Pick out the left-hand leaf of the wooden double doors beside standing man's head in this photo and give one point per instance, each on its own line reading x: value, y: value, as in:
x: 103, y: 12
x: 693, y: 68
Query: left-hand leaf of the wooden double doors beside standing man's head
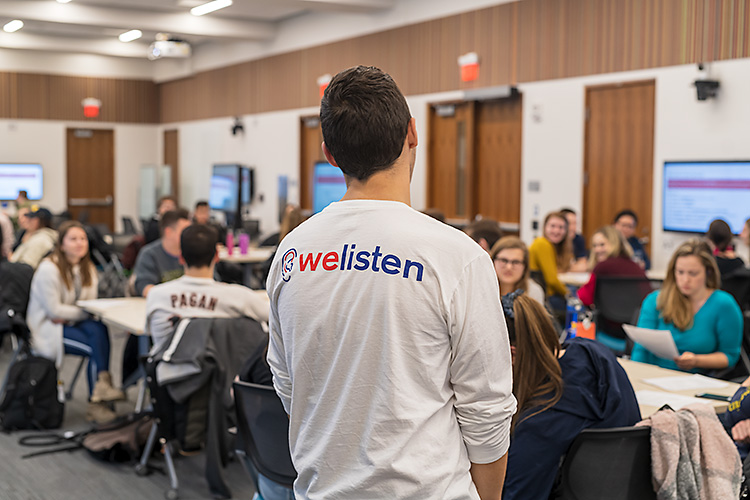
x: 450, y: 161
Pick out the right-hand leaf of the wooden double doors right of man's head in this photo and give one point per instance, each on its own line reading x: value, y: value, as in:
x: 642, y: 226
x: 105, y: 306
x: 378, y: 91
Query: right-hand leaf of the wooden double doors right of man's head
x: 498, y: 159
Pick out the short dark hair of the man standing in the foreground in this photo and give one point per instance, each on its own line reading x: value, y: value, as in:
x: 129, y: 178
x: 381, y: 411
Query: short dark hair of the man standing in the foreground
x: 364, y: 118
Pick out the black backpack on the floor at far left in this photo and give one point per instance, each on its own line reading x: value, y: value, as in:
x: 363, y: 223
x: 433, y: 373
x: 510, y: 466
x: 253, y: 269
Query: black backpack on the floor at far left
x: 32, y: 398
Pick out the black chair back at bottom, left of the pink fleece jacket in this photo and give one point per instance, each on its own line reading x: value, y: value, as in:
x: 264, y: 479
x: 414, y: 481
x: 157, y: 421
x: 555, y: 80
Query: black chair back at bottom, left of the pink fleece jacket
x: 608, y: 463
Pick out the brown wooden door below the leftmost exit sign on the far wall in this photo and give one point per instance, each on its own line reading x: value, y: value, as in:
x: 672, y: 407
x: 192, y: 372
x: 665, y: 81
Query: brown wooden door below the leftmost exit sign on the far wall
x: 90, y: 175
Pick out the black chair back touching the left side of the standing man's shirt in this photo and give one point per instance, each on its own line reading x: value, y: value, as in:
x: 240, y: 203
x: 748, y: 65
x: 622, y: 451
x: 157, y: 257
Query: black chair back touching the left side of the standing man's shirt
x: 264, y: 429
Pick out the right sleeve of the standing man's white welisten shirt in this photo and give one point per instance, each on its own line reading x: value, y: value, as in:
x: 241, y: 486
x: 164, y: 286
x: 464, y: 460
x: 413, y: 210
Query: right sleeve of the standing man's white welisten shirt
x: 481, y: 370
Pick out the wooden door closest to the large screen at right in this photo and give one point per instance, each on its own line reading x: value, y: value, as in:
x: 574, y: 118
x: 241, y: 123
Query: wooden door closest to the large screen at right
x: 619, y: 154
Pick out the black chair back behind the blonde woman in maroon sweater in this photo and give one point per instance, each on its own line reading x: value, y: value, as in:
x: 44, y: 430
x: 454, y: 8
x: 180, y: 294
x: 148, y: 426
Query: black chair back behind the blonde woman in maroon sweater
x: 617, y: 299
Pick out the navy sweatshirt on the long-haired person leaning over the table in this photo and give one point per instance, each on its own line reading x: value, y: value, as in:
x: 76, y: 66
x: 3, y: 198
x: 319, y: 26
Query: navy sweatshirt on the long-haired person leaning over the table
x: 596, y: 394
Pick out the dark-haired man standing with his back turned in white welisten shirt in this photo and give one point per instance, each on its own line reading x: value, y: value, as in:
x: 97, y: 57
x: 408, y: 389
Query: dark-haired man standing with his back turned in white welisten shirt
x: 388, y: 345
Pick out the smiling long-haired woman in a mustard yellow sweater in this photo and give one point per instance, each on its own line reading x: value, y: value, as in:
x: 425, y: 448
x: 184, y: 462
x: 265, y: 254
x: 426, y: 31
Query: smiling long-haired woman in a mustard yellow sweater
x: 550, y: 254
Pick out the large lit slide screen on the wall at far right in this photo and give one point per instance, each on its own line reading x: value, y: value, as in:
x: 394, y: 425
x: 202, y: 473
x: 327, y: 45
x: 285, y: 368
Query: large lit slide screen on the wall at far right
x: 695, y: 193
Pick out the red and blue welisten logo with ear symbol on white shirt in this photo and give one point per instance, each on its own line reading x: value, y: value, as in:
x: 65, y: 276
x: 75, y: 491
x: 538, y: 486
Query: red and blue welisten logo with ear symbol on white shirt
x: 349, y: 259
